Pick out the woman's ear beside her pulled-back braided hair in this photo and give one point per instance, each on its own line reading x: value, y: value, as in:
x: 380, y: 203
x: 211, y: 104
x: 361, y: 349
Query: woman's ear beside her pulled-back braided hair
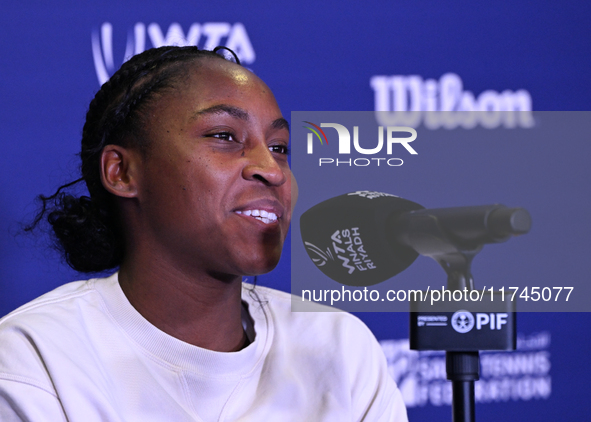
x: 119, y: 171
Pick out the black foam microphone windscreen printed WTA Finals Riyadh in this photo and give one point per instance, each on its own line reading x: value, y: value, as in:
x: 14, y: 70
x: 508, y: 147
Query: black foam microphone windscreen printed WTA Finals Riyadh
x: 347, y: 237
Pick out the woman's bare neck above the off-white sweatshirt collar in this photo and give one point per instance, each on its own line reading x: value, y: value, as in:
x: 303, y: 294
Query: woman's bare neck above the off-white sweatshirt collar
x: 201, y: 309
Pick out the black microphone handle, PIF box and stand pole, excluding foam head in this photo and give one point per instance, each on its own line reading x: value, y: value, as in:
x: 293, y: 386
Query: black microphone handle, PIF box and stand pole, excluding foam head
x: 453, y: 237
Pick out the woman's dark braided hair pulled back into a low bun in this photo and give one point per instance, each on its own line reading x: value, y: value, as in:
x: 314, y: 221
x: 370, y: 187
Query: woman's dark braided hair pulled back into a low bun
x: 87, y: 229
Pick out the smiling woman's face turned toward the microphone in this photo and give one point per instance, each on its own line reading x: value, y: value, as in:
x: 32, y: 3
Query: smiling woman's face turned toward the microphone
x: 215, y: 187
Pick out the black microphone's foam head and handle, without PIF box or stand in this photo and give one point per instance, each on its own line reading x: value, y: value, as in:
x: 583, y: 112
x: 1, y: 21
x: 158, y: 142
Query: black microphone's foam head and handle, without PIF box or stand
x: 363, y: 238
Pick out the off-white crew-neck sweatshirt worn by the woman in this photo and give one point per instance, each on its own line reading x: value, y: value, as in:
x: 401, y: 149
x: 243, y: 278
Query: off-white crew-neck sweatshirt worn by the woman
x: 83, y: 353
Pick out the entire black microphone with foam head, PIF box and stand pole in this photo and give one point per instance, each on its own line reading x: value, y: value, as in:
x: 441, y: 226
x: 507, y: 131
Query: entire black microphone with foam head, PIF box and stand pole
x: 363, y: 238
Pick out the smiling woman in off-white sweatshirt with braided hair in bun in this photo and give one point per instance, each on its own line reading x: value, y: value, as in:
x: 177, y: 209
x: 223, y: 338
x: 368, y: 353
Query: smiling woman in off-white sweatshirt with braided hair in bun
x: 185, y: 157
